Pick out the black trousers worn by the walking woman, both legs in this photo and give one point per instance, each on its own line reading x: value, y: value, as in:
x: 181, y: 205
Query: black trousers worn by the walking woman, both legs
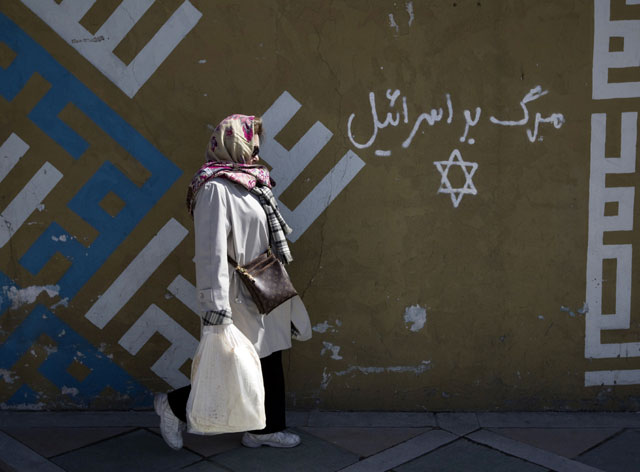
x: 274, y: 401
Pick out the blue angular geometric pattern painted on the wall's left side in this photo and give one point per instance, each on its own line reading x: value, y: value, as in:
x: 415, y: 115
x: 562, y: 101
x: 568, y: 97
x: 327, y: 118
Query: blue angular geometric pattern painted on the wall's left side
x: 83, y: 259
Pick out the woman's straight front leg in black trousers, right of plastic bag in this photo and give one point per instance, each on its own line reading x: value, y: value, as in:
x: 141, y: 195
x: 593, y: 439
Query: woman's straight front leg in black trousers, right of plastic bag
x: 274, y: 399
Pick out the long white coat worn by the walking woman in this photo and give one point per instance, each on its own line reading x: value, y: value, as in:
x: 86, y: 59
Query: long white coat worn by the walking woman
x: 230, y: 220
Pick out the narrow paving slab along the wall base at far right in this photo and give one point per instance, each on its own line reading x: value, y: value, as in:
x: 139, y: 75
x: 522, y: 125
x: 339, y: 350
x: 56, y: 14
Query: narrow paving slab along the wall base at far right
x: 559, y: 420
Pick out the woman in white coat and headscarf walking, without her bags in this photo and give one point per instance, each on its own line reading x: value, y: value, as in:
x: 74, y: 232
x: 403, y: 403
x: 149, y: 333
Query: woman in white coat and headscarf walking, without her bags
x: 235, y: 215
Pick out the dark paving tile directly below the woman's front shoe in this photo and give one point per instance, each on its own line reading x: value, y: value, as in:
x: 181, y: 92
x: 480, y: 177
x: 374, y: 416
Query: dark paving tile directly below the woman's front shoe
x: 313, y: 455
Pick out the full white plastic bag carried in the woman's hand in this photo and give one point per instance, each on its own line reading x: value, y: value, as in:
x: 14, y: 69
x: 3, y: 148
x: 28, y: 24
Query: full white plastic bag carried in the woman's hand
x: 227, y: 393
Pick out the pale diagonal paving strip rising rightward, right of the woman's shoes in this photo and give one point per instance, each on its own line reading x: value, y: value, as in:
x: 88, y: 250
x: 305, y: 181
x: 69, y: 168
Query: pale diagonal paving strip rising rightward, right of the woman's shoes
x: 404, y: 452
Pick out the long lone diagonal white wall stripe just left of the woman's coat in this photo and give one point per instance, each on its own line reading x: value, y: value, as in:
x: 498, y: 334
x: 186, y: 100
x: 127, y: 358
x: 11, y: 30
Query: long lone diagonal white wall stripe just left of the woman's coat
x: 136, y: 273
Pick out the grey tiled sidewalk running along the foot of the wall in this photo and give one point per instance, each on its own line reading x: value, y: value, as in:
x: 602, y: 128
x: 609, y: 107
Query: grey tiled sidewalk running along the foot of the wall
x: 332, y: 441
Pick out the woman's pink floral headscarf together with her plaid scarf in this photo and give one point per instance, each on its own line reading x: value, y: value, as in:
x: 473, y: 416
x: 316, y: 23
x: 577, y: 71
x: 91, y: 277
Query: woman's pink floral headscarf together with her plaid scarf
x: 230, y: 146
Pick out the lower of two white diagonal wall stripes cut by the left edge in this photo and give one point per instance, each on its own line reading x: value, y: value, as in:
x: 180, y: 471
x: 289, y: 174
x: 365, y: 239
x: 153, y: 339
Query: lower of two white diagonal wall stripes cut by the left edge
x: 27, y: 201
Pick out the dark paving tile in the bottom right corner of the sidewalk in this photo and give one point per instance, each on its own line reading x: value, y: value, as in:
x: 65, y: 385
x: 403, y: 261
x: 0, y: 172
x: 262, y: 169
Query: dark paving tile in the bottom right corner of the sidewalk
x: 618, y: 454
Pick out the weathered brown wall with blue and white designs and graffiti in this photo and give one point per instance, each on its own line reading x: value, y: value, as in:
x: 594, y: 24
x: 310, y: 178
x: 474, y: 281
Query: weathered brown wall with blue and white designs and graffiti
x: 460, y: 176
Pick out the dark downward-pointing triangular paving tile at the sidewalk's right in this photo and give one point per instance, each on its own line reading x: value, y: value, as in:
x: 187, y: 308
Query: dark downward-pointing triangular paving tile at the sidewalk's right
x: 567, y: 442
